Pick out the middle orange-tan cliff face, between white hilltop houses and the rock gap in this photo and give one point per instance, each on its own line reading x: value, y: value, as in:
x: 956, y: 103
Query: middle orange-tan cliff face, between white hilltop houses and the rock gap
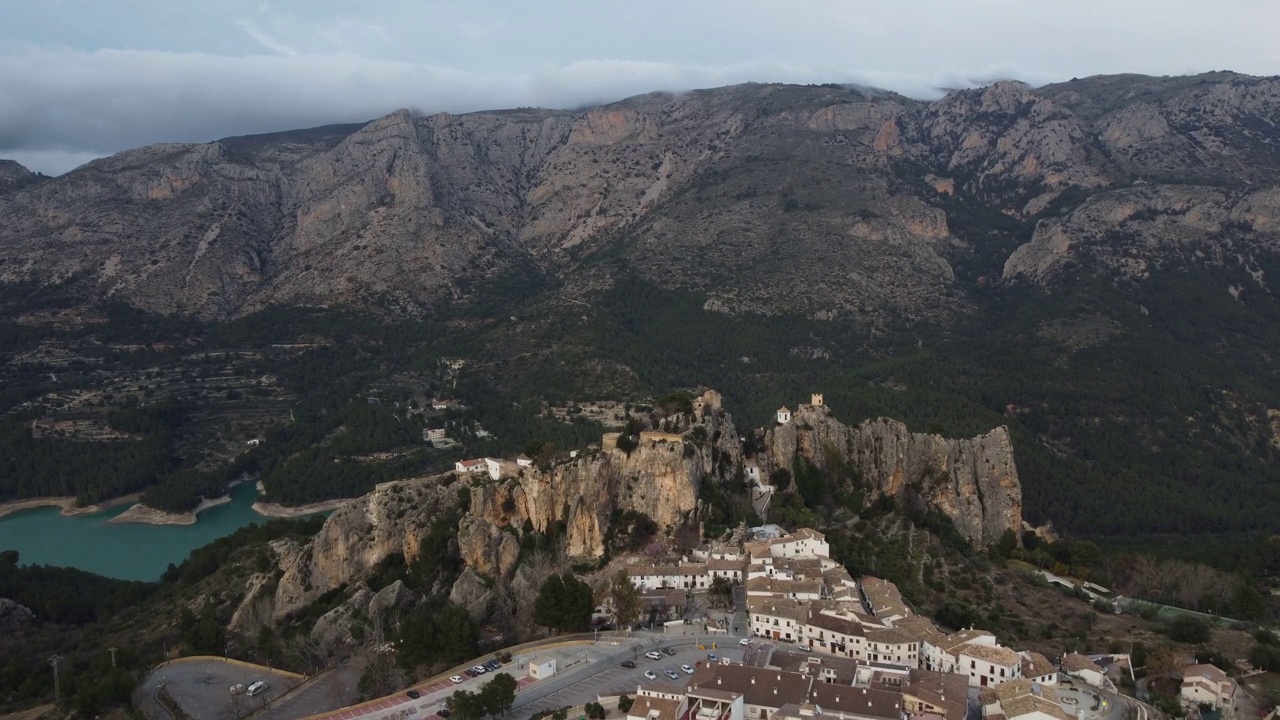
x: 660, y: 480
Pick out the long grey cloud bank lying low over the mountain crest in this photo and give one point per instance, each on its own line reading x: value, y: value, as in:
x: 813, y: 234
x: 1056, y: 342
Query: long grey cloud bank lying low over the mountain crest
x: 62, y: 106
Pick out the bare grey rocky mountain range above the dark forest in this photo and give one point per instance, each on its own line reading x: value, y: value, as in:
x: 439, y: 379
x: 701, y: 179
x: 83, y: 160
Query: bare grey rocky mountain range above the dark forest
x: 819, y: 194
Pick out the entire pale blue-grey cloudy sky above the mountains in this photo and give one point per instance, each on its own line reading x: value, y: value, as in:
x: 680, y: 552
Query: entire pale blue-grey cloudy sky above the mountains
x: 85, y: 79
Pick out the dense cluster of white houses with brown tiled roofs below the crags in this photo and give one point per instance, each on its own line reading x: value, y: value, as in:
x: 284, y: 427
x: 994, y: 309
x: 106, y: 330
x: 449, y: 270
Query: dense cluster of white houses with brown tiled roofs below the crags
x: 845, y: 649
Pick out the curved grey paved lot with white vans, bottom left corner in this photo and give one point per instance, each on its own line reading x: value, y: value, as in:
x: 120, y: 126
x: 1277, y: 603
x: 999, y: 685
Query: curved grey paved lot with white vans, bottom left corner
x: 203, y: 689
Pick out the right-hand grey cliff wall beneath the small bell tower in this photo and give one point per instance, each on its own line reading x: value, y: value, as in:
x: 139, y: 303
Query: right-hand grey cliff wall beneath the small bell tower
x: 975, y: 482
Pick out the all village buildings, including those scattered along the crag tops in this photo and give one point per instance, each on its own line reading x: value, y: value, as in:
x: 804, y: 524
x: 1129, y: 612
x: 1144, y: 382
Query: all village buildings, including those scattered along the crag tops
x: 822, y: 645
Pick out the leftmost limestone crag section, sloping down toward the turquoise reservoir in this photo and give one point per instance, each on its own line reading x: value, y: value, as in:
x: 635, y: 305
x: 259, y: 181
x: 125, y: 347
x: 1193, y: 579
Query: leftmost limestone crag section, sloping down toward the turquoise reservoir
x: 392, y: 520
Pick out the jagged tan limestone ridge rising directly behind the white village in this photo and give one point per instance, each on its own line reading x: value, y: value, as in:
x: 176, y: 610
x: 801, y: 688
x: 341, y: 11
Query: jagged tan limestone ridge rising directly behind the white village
x: 973, y: 482
